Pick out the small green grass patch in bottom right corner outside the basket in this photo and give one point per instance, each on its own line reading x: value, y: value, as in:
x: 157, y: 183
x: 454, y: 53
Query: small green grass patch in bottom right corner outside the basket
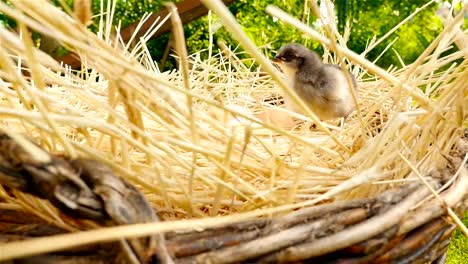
x: 458, y: 249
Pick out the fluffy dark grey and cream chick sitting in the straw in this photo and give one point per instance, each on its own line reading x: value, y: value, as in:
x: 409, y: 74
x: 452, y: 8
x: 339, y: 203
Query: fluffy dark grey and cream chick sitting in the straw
x: 323, y: 87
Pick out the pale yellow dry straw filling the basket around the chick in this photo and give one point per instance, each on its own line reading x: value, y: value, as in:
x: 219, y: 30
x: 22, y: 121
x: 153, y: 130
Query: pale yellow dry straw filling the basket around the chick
x: 190, y: 139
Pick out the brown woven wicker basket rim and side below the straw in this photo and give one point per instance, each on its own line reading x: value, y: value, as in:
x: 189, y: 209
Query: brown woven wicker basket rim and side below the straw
x: 397, y: 226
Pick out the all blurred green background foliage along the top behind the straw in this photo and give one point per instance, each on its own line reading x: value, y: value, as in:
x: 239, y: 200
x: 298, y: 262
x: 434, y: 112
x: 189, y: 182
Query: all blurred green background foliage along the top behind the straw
x: 368, y: 18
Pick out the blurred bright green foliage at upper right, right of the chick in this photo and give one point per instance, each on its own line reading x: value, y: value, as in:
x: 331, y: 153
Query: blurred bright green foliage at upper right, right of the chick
x: 377, y: 17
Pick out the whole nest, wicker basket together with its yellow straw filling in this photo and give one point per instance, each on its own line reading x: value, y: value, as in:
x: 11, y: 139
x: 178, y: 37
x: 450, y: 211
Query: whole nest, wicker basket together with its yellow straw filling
x: 375, y: 189
